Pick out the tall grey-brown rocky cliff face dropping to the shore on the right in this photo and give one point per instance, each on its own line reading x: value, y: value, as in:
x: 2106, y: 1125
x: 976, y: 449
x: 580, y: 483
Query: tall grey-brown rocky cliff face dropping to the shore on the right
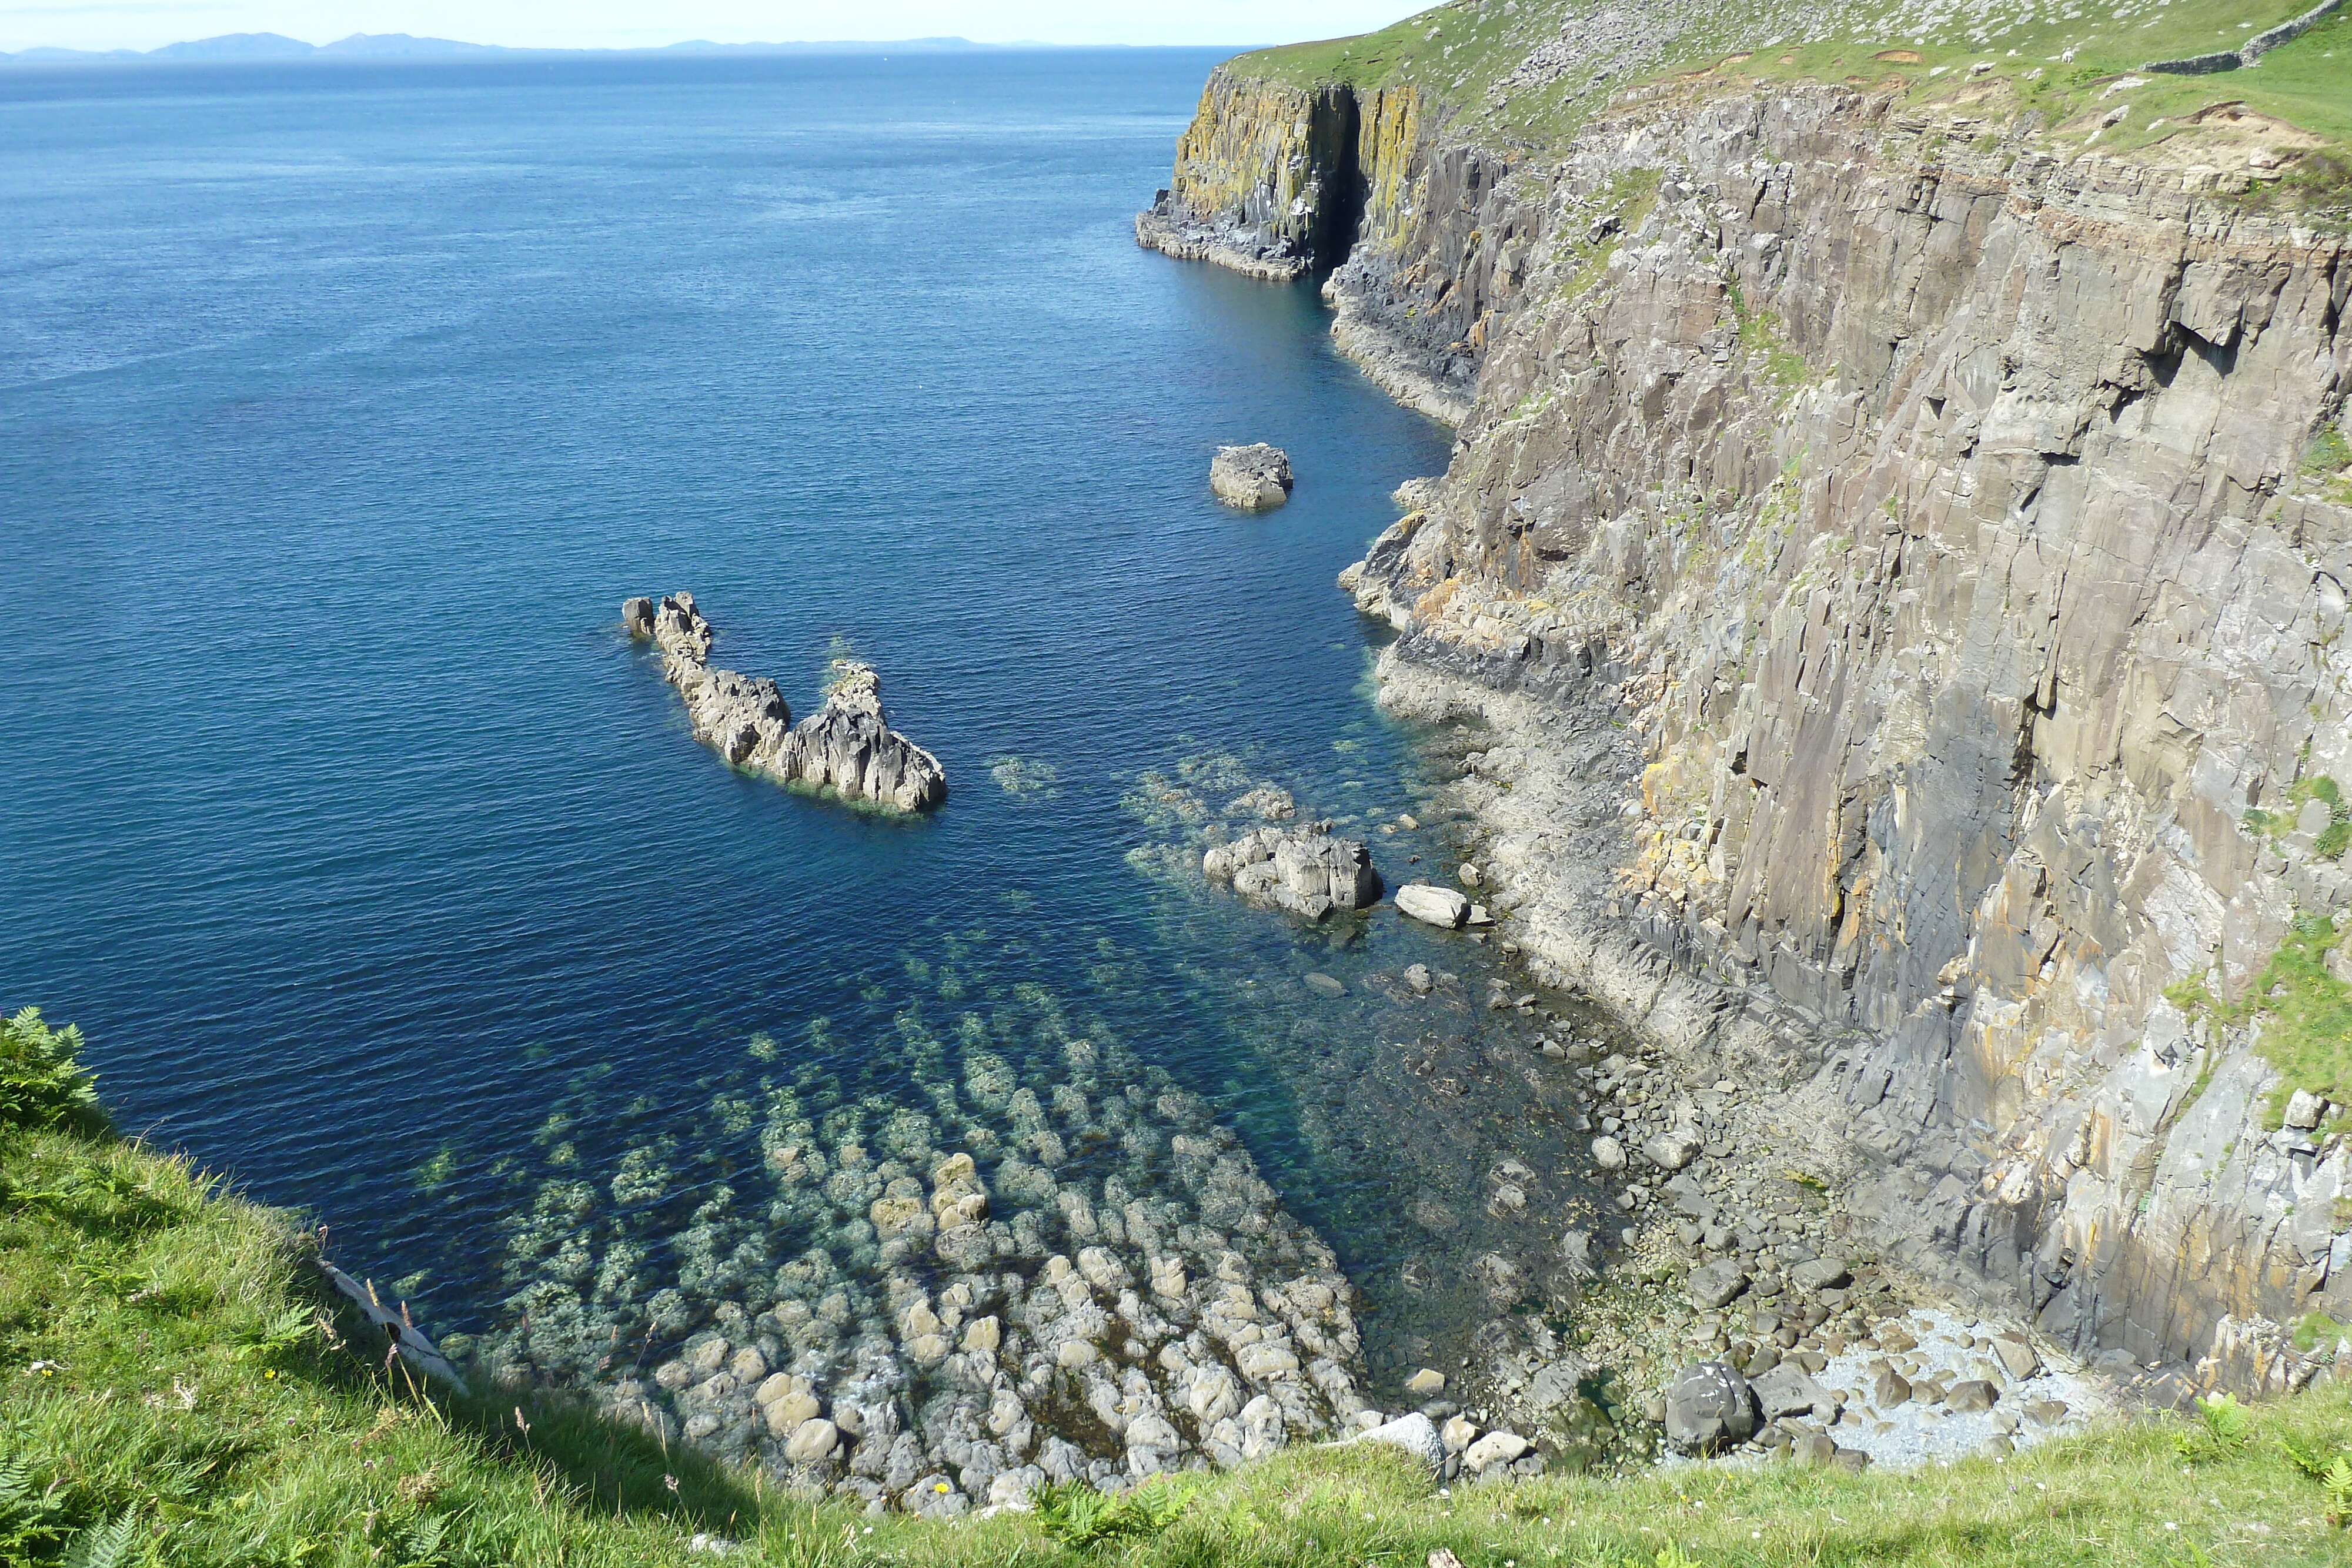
x: 1956, y: 532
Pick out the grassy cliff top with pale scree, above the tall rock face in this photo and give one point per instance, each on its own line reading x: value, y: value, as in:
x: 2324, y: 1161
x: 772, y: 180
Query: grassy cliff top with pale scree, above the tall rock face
x: 1532, y: 72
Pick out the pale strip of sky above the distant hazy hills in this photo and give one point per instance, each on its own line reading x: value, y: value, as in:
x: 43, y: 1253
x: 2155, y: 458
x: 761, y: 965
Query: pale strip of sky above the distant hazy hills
x: 622, y: 25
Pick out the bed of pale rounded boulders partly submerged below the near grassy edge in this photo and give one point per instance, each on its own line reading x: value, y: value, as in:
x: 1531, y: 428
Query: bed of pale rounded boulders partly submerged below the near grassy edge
x: 1057, y: 1268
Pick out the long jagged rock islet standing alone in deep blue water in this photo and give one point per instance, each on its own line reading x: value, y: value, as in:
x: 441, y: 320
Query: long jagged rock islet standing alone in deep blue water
x: 846, y: 749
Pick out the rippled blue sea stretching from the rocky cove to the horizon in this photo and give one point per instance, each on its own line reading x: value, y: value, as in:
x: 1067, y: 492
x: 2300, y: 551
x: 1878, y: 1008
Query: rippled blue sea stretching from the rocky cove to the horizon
x: 342, y: 408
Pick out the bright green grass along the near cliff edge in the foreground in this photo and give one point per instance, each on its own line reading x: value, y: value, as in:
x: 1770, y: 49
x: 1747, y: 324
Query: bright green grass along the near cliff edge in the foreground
x: 178, y: 1388
